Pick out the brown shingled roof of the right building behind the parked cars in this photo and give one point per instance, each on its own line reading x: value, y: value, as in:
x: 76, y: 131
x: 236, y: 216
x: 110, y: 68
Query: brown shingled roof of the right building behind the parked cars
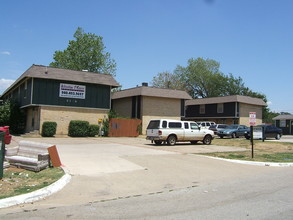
x: 226, y: 99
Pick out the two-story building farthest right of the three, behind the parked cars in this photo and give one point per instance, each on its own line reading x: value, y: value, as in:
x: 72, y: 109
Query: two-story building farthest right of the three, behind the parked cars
x: 233, y: 109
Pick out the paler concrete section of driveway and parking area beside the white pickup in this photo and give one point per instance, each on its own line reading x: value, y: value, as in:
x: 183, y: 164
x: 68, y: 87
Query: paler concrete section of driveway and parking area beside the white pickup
x: 98, y: 156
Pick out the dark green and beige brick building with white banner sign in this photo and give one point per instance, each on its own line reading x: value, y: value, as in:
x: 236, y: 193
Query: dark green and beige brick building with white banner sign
x: 61, y: 95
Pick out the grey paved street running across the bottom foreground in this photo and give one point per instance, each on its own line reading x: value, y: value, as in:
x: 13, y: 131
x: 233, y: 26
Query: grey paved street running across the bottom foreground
x: 264, y: 196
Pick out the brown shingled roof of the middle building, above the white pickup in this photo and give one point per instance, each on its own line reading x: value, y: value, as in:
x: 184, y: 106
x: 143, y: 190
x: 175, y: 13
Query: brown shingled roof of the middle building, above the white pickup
x: 151, y: 91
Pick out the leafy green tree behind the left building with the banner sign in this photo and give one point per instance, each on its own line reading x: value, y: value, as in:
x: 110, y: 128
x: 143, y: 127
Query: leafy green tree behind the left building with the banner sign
x: 86, y: 52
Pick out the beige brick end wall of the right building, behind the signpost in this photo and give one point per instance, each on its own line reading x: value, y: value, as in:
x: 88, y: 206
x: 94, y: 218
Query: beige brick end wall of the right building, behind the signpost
x: 244, y: 110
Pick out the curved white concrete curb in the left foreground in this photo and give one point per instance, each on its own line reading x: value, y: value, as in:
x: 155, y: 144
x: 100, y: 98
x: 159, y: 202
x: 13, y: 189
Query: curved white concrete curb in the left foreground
x: 38, y: 194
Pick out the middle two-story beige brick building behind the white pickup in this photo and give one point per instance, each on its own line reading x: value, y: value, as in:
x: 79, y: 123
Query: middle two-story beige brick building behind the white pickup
x: 146, y: 103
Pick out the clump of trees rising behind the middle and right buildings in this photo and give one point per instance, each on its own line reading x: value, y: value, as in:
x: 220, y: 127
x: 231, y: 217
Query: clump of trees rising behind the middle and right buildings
x: 202, y: 78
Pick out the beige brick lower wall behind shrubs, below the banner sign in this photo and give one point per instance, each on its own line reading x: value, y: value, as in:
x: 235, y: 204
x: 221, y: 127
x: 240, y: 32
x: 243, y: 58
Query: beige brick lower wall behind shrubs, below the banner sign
x: 63, y: 116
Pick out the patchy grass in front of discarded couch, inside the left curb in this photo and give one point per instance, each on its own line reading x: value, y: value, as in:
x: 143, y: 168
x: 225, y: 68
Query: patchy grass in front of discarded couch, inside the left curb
x: 19, y: 181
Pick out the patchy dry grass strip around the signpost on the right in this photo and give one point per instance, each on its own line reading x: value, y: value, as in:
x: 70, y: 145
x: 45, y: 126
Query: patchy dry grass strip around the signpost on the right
x: 263, y: 151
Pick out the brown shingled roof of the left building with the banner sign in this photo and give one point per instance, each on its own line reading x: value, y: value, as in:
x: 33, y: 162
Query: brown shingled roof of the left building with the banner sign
x: 44, y: 72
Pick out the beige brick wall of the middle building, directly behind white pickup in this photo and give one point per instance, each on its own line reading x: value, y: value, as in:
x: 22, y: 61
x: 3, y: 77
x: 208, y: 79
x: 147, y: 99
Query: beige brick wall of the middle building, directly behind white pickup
x: 156, y: 108
